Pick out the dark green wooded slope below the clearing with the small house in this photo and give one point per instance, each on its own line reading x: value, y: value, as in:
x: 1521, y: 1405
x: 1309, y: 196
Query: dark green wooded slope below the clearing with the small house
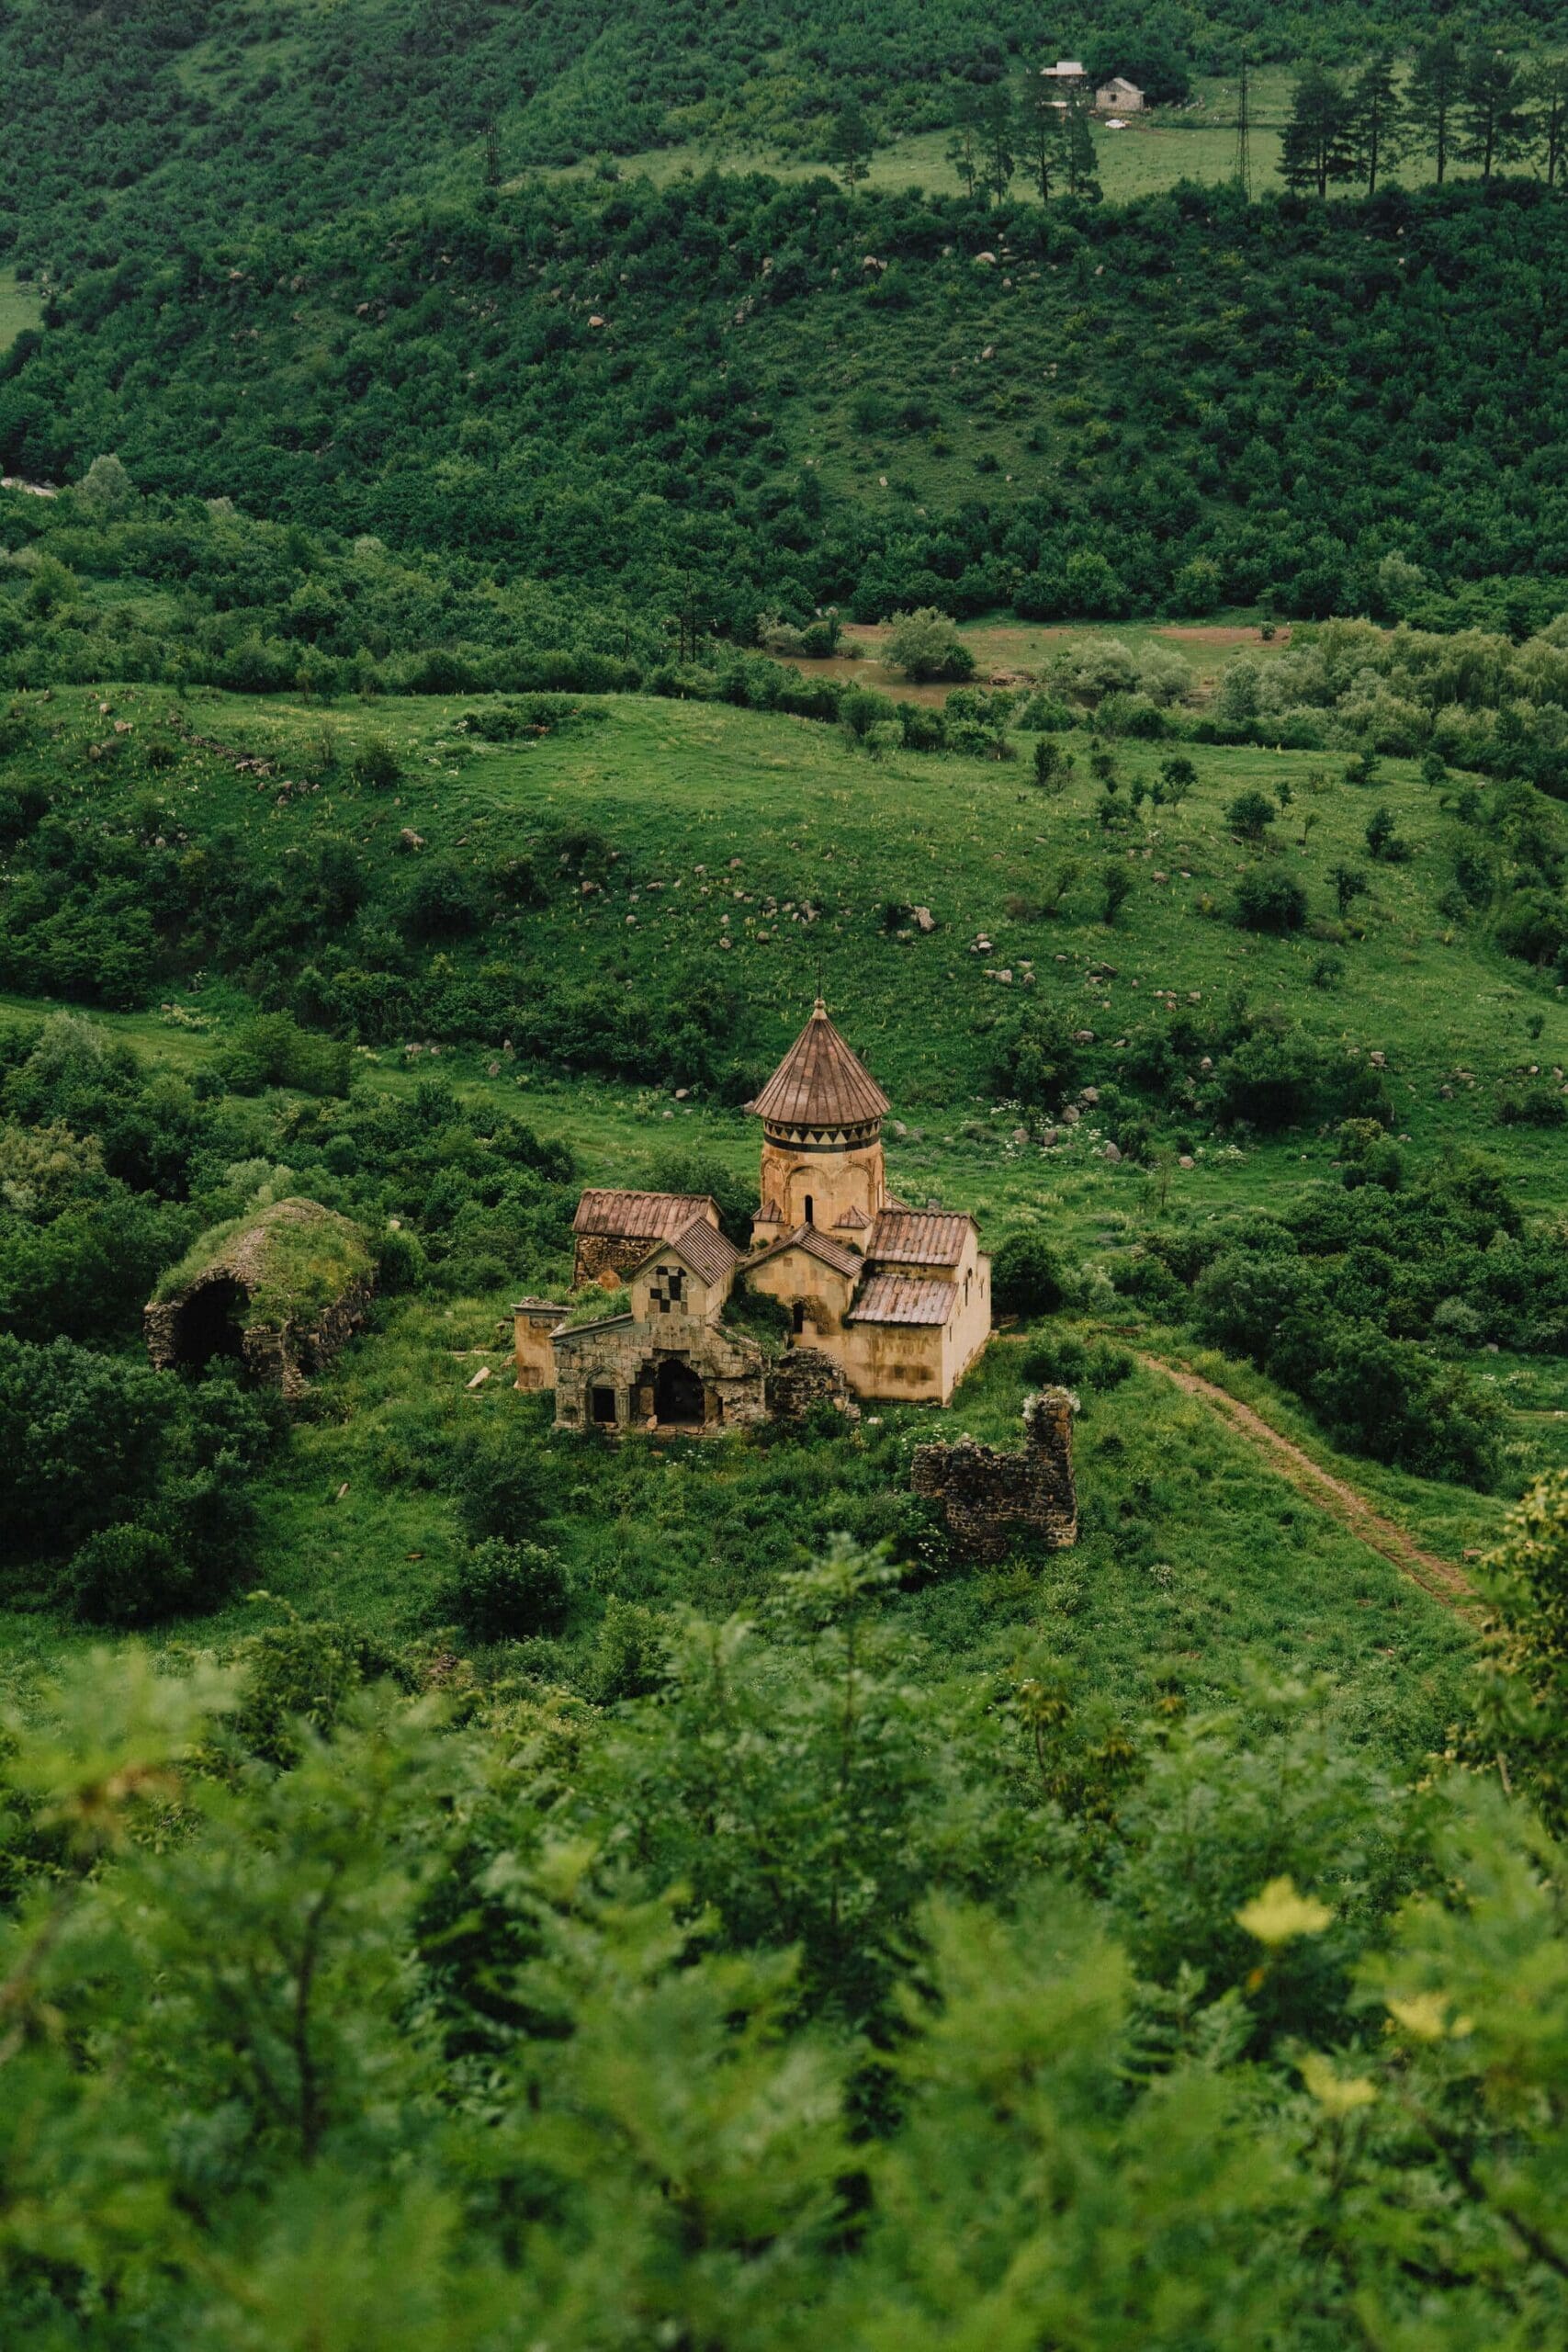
x: 709, y: 396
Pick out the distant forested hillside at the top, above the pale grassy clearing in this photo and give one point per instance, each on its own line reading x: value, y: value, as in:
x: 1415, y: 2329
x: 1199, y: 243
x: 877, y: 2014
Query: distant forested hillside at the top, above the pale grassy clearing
x: 128, y: 123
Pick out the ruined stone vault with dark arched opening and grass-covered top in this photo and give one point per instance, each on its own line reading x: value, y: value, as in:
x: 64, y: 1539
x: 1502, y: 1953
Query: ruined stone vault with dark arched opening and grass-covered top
x: 276, y: 1292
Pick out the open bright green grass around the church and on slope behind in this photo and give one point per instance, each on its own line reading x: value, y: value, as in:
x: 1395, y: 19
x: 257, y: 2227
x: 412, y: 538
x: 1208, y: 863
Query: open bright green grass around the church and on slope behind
x: 770, y: 850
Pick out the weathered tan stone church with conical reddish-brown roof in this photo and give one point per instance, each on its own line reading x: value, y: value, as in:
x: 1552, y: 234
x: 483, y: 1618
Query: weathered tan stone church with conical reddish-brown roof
x: 883, y: 1302
